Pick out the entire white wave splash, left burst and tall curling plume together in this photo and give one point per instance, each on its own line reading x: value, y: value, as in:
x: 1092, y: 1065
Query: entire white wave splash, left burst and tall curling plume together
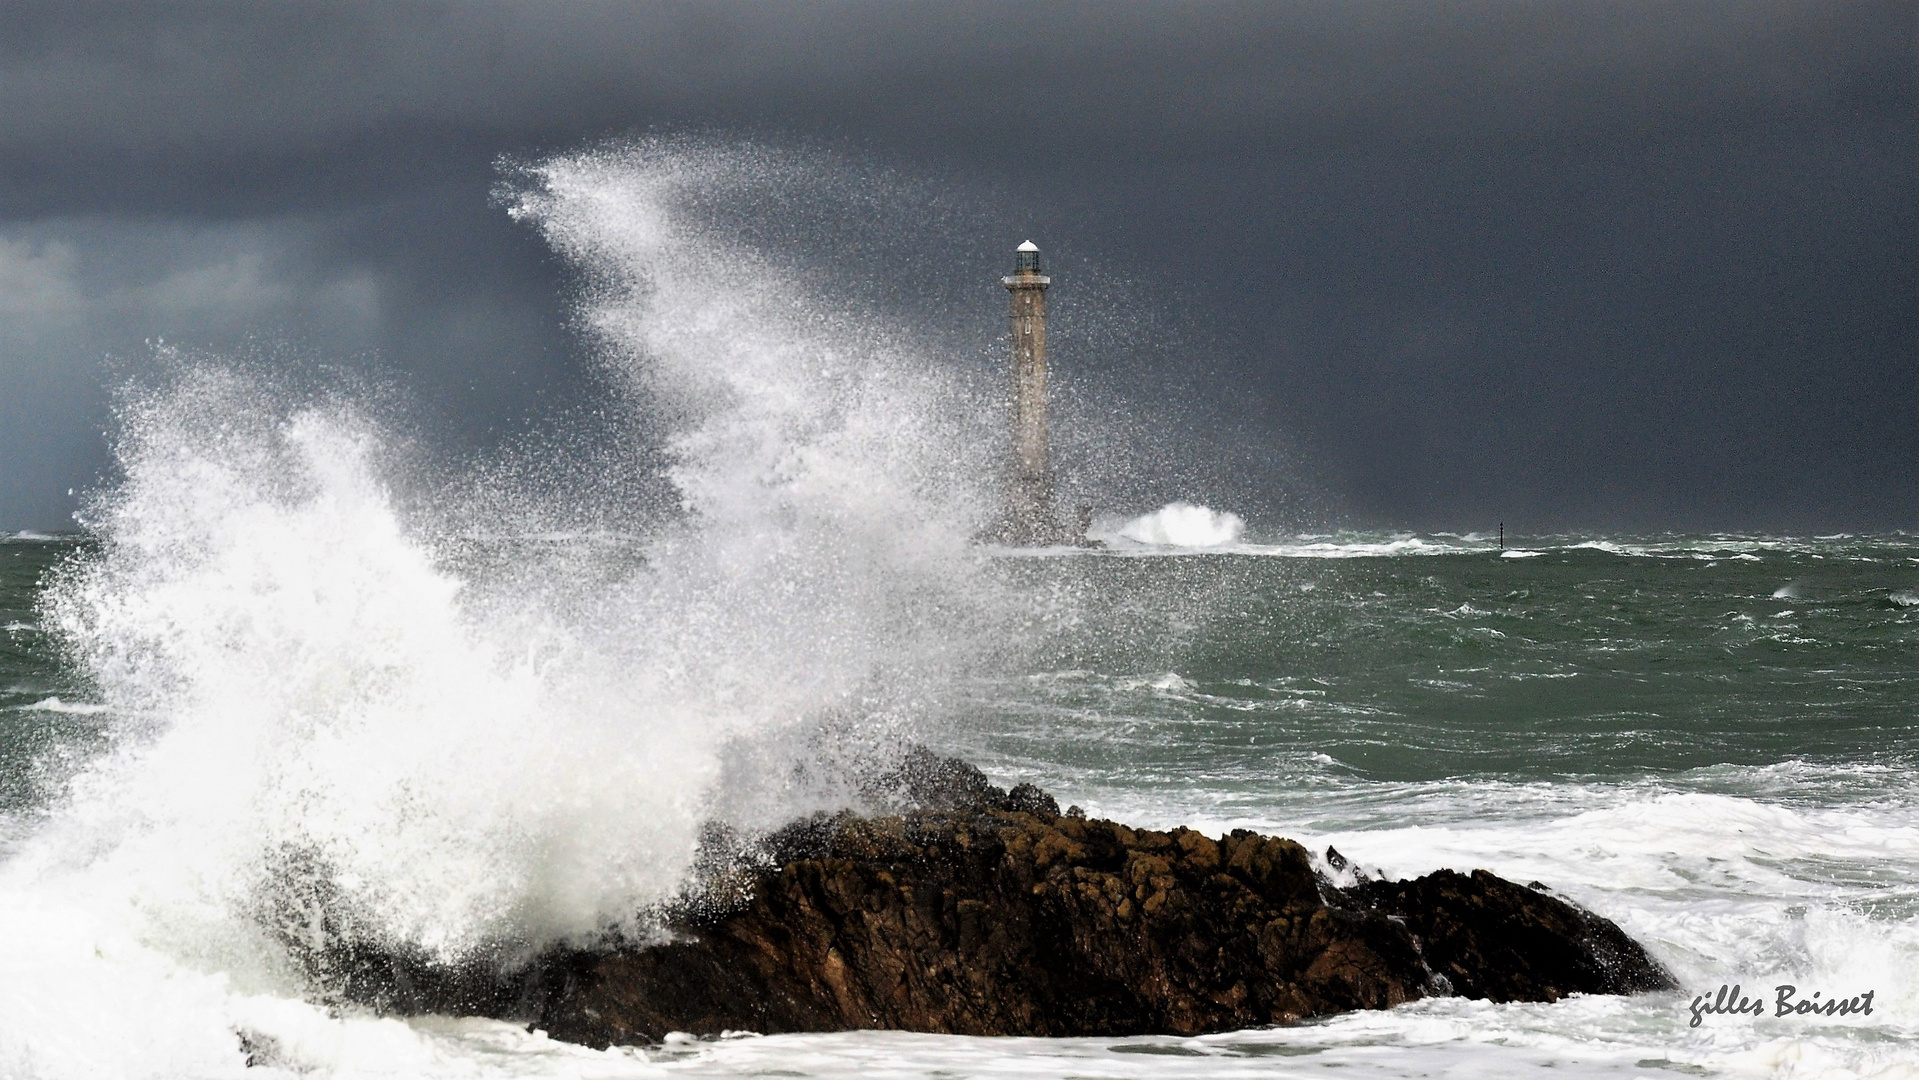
x: 333, y: 726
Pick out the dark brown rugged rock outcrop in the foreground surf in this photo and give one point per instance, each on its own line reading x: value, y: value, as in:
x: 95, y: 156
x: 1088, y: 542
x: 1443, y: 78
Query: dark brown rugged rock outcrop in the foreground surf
x: 989, y: 912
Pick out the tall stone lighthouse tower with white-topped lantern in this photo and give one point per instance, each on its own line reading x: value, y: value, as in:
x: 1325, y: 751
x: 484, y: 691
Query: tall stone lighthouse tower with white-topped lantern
x: 1030, y: 492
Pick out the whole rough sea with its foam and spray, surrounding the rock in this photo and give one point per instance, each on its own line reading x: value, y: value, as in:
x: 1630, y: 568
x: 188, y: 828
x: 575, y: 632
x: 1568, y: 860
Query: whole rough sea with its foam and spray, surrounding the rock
x: 291, y: 686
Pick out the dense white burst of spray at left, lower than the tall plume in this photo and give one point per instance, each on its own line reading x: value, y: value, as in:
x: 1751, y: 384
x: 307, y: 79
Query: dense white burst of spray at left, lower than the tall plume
x: 295, y: 674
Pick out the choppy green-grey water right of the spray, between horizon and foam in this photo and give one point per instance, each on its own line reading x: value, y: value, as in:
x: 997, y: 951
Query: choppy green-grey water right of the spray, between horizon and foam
x: 1584, y: 659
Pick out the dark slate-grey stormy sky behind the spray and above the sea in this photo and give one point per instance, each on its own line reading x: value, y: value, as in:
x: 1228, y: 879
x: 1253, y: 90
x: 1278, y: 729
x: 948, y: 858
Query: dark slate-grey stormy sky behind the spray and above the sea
x: 1590, y: 264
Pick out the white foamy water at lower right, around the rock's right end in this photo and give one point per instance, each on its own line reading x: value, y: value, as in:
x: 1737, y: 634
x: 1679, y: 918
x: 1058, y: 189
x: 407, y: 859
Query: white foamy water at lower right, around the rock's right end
x: 1720, y: 887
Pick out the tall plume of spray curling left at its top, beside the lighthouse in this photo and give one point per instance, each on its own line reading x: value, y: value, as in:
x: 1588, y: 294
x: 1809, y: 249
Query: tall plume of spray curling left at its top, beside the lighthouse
x: 830, y: 477
